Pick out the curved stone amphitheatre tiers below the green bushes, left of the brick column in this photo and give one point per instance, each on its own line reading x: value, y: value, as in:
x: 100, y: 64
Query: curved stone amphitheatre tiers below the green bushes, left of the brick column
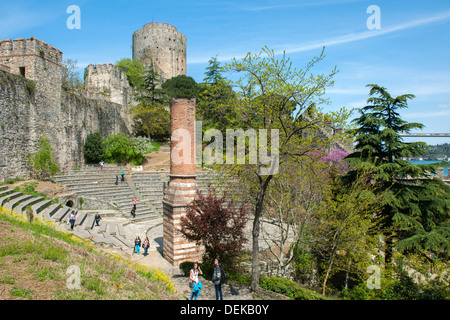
x: 90, y: 182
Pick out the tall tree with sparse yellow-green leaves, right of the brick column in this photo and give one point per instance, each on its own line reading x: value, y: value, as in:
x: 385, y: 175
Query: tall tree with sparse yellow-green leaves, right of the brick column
x: 274, y: 95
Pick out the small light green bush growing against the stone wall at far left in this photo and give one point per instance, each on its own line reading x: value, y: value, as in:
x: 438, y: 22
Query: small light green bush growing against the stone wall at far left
x: 43, y: 163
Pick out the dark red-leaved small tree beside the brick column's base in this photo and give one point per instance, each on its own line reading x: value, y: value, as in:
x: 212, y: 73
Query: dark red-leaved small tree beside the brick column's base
x: 216, y: 223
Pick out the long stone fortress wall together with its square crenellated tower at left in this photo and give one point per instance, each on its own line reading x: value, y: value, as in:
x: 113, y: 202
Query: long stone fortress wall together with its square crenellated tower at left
x: 33, y: 104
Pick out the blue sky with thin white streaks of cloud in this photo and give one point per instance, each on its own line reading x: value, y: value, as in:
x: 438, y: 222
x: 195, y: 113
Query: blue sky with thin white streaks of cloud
x: 410, y: 53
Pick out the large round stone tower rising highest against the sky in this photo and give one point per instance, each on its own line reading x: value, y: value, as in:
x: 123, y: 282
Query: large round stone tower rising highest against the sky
x: 163, y: 46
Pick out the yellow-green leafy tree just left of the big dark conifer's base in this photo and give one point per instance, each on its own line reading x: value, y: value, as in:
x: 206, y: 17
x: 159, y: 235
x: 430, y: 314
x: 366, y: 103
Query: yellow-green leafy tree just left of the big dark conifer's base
x: 347, y: 215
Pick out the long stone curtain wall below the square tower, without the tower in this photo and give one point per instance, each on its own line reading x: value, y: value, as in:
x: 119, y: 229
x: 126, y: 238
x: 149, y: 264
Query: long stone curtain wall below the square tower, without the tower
x: 26, y: 114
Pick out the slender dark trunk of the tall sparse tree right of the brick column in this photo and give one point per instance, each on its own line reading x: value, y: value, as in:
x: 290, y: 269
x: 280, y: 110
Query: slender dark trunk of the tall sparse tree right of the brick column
x: 255, y: 232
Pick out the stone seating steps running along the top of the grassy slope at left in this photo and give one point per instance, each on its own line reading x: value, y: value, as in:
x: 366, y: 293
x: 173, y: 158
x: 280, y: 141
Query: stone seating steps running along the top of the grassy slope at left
x: 112, y: 232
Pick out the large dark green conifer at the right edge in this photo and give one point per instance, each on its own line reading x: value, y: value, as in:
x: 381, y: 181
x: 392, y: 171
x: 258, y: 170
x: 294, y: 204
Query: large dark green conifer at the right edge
x: 416, y: 207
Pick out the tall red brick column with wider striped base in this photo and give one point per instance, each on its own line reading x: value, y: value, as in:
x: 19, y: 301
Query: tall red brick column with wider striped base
x: 182, y: 186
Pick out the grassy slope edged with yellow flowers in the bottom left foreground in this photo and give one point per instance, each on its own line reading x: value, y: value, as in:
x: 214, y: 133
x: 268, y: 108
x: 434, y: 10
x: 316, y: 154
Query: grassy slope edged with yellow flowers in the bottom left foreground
x: 39, y: 263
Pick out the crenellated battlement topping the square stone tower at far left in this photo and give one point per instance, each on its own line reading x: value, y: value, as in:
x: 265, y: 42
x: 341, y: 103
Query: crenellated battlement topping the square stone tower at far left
x: 30, y: 47
